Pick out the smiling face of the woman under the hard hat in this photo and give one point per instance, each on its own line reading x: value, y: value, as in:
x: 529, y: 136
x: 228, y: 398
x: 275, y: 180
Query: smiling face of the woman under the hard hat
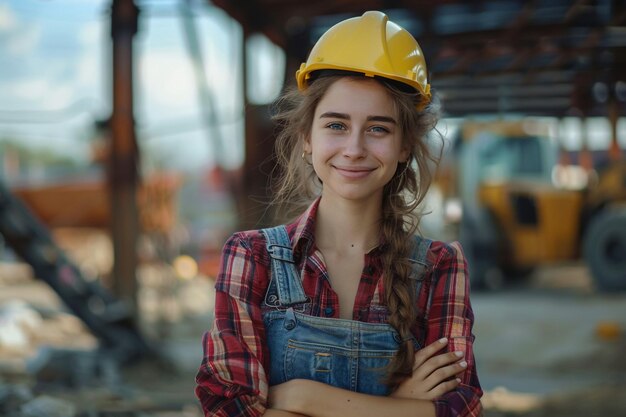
x: 355, y: 141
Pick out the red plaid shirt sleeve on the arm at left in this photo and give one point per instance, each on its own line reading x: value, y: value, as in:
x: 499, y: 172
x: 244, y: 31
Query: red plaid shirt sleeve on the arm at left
x: 232, y: 380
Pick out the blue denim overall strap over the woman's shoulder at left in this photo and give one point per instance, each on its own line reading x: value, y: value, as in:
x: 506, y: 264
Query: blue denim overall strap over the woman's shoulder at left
x: 284, y: 275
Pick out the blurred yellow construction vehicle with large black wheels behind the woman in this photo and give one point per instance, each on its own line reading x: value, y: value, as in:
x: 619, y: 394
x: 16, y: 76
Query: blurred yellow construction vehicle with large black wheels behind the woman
x: 521, y: 208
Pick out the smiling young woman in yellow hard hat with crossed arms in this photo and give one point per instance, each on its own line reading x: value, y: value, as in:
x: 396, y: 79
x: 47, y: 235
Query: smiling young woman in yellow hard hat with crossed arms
x: 346, y: 311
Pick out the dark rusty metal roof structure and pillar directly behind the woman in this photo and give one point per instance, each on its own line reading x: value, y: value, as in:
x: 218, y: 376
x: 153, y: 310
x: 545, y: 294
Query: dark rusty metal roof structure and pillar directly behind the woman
x: 509, y: 57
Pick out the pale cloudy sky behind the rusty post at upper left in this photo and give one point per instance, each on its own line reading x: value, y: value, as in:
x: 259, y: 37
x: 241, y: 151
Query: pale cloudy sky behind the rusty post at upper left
x: 55, y: 79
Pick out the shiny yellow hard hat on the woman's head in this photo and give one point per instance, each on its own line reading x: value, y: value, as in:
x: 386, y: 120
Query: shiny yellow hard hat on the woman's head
x: 371, y: 45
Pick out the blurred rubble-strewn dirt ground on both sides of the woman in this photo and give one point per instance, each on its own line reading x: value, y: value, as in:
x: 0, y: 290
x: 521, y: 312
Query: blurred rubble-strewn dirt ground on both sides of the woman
x: 547, y: 347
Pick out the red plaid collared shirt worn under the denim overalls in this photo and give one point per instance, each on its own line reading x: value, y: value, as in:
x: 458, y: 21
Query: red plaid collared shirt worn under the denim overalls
x: 233, y: 380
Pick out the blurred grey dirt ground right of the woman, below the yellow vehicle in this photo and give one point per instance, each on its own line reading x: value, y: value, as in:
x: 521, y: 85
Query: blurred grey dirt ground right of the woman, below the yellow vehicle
x: 552, y: 346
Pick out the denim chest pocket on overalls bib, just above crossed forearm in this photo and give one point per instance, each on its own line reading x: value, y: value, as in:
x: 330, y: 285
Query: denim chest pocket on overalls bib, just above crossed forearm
x: 361, y: 370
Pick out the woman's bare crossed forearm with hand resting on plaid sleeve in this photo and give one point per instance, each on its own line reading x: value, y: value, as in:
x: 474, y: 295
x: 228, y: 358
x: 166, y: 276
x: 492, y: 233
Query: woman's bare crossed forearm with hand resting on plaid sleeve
x: 433, y: 375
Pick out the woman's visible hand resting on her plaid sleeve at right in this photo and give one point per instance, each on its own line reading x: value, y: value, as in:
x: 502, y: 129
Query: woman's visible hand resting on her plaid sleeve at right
x: 432, y: 374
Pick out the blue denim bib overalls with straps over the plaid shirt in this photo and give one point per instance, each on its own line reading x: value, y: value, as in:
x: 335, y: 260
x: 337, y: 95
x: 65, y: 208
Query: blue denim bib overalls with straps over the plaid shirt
x: 344, y: 353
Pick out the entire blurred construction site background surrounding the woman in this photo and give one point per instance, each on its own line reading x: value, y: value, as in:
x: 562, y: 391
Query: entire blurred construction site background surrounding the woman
x: 110, y: 240
